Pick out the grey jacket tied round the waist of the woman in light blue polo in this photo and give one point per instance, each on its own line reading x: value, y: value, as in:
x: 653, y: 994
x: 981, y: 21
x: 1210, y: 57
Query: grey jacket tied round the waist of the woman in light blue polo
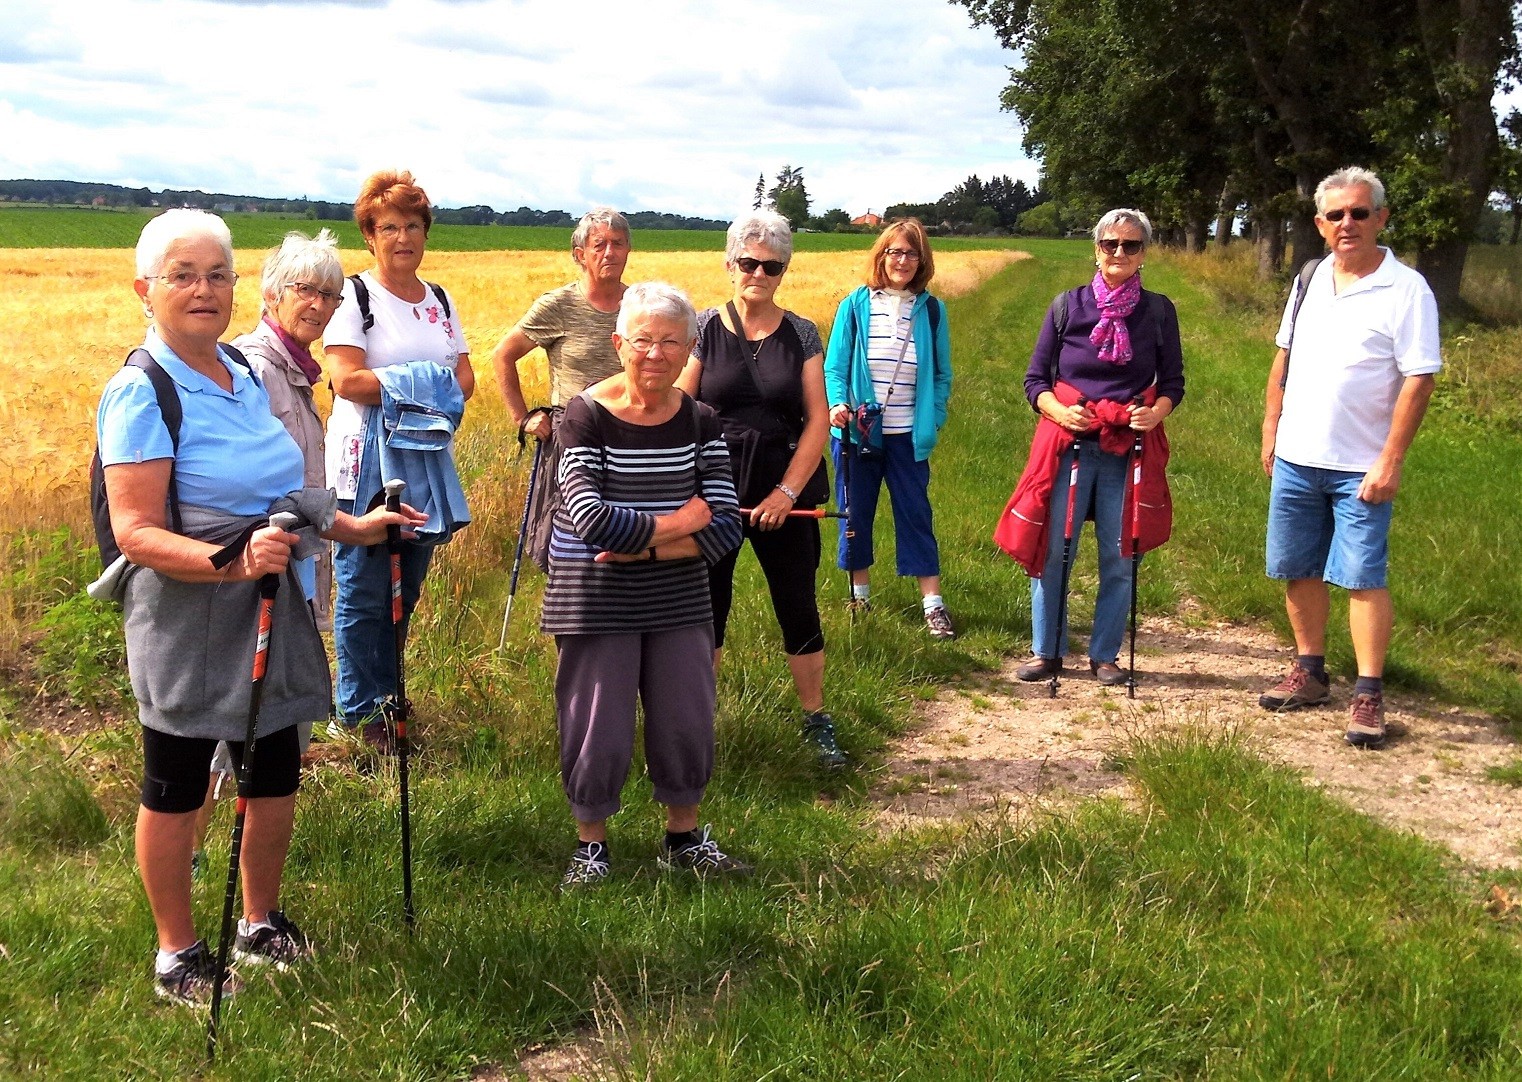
x: 191, y: 646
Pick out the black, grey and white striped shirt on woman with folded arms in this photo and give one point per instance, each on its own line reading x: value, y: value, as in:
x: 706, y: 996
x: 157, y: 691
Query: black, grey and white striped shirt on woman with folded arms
x: 616, y: 479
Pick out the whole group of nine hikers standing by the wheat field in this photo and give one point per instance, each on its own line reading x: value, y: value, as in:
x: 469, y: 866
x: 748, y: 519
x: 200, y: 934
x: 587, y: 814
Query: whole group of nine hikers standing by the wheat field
x: 672, y: 439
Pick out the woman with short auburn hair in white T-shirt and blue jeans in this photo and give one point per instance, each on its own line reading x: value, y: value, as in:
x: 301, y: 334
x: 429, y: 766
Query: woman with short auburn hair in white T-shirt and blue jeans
x: 389, y: 317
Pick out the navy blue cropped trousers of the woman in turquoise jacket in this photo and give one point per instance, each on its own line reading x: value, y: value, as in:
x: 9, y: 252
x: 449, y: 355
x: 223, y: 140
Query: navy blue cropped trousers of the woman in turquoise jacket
x: 908, y: 491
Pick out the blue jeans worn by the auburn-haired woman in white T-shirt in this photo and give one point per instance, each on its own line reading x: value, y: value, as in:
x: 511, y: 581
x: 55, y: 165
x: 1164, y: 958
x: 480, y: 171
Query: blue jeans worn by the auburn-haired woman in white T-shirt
x: 363, y: 634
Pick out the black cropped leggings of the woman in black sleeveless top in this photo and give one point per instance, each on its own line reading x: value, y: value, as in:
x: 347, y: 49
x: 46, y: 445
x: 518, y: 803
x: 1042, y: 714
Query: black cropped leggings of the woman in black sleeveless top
x: 789, y: 559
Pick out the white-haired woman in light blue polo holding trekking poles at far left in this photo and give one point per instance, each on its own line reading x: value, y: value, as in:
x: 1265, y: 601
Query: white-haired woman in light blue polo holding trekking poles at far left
x: 189, y: 506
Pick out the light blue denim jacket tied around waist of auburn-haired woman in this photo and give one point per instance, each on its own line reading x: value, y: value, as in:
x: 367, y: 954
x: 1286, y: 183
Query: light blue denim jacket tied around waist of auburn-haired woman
x: 410, y: 438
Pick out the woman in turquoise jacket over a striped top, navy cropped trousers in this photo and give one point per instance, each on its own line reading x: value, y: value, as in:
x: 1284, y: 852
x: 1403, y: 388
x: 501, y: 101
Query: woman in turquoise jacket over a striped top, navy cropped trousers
x: 888, y: 375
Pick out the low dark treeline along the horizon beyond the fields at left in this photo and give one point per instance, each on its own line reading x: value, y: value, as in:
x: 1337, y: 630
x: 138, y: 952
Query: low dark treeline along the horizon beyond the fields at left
x: 89, y: 194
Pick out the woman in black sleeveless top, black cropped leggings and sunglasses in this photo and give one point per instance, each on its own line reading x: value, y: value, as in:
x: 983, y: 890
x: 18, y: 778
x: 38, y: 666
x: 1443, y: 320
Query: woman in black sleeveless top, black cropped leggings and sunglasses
x: 763, y: 371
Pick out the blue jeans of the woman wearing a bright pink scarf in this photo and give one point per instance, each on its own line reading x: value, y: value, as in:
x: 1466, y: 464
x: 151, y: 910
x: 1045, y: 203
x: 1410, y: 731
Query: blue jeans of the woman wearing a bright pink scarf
x: 1101, y: 495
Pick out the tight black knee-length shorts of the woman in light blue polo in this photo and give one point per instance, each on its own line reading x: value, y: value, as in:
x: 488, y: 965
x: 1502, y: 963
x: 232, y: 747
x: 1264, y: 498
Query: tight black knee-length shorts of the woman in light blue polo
x: 179, y: 769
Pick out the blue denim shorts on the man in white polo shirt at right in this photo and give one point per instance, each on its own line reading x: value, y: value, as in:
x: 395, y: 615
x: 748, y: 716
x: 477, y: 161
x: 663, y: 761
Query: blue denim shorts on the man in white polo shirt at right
x: 1320, y: 529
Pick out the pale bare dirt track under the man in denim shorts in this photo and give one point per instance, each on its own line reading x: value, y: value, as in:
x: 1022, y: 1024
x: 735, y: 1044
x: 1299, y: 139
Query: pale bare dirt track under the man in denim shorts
x: 995, y: 743
